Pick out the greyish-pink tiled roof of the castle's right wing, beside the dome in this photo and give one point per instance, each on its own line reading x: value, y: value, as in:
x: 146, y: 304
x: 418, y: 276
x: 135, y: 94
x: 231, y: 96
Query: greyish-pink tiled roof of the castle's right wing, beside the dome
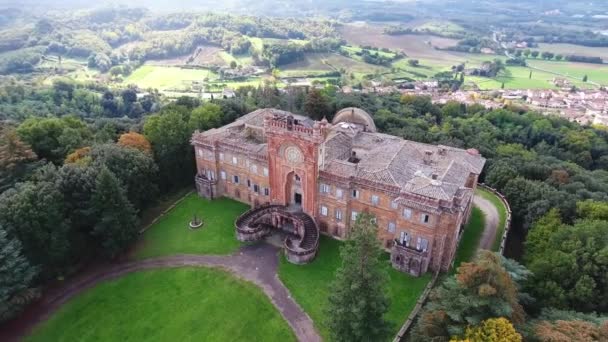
x: 438, y: 172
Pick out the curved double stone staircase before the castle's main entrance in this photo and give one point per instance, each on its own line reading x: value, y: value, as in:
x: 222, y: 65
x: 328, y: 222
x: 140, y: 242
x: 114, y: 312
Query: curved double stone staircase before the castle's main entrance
x: 256, y: 223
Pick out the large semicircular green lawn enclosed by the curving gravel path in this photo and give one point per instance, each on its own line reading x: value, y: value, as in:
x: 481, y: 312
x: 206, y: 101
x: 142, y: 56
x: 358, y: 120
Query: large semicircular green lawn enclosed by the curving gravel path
x: 186, y: 304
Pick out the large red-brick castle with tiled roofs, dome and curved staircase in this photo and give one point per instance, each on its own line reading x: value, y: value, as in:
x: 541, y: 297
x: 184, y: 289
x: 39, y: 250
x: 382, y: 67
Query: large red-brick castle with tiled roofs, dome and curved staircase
x: 307, y: 178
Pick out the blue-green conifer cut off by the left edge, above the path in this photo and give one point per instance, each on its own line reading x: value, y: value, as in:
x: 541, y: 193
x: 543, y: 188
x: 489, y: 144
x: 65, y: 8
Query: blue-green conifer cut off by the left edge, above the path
x: 16, y: 275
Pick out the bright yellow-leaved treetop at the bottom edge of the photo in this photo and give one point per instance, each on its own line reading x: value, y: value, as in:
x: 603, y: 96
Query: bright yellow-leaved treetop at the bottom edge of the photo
x: 491, y: 330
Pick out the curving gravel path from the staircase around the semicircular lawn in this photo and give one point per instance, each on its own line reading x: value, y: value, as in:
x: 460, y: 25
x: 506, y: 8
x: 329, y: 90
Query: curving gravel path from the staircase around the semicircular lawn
x: 256, y: 263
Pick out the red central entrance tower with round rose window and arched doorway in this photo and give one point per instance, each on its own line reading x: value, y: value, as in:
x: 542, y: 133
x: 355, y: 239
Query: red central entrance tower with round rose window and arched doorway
x: 293, y: 156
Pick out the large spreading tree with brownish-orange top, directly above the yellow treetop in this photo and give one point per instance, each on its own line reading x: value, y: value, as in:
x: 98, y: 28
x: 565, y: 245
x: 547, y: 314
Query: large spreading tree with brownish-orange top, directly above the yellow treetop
x: 480, y: 290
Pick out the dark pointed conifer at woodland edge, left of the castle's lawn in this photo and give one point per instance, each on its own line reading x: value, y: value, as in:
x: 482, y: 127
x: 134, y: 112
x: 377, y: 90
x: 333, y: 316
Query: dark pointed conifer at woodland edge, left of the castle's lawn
x: 116, y: 227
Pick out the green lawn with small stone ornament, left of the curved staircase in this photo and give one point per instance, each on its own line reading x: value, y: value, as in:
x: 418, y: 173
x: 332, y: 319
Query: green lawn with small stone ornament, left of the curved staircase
x: 171, y: 234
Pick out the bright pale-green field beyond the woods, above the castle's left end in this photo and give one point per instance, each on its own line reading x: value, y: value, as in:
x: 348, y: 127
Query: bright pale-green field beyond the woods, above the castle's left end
x: 167, y: 77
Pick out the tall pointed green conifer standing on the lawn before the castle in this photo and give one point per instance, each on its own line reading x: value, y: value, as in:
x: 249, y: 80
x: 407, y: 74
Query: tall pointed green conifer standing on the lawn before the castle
x: 358, y: 300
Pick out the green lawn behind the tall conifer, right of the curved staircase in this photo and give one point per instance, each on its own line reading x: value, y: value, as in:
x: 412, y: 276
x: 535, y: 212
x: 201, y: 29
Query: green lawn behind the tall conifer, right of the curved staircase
x: 309, y: 284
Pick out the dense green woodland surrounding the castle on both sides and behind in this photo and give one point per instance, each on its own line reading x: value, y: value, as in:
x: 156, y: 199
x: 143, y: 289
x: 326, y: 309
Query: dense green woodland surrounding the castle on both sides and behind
x: 75, y: 183
